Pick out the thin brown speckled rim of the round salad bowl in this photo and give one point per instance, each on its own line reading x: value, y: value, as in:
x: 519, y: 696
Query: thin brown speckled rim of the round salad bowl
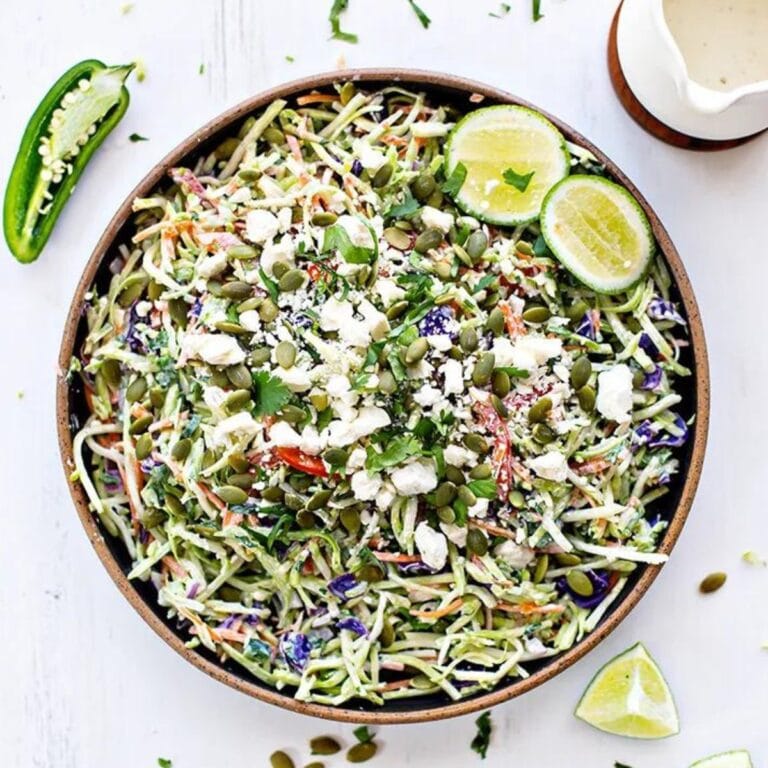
x: 421, y: 79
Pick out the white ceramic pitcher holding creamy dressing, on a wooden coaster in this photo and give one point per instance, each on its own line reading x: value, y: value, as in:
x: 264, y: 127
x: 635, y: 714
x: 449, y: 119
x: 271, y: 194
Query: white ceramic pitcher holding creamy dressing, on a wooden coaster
x: 659, y: 58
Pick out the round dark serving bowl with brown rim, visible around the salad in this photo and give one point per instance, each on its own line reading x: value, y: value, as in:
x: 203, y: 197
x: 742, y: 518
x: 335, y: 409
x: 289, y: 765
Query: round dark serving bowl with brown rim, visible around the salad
x: 72, y: 411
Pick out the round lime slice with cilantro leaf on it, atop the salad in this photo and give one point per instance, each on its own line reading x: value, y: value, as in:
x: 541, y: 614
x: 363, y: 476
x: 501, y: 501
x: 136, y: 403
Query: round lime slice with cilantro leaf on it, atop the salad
x: 493, y: 140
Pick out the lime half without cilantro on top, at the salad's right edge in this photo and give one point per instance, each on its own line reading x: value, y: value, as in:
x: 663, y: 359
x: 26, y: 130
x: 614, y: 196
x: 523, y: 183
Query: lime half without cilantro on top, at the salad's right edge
x: 598, y: 232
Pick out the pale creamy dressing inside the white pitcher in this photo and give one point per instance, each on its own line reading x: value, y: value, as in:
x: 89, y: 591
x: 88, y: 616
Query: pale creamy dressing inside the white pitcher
x: 724, y: 42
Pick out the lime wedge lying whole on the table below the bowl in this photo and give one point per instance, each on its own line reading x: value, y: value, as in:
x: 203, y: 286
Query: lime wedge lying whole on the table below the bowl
x: 629, y: 697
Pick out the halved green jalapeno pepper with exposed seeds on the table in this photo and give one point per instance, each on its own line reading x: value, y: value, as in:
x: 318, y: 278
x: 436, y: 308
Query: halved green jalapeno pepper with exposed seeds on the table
x: 75, y: 116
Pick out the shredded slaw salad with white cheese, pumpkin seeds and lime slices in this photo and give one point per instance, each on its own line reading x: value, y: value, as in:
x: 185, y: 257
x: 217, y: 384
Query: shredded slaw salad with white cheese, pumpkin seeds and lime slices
x: 362, y: 438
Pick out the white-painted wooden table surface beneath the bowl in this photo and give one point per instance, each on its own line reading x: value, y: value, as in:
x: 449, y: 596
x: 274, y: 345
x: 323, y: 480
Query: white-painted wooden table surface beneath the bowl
x: 85, y: 683
